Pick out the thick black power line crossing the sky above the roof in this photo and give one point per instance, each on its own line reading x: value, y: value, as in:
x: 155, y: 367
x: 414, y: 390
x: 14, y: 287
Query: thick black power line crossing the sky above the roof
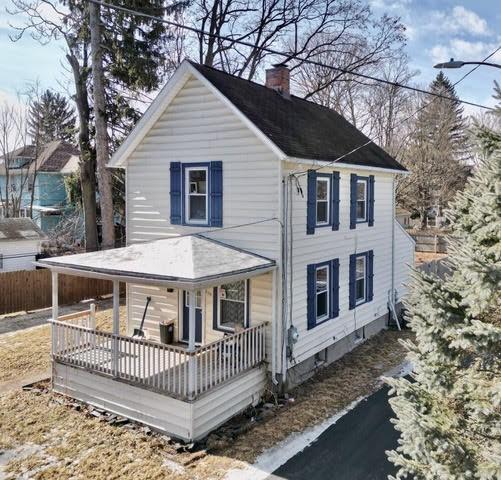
x: 288, y: 56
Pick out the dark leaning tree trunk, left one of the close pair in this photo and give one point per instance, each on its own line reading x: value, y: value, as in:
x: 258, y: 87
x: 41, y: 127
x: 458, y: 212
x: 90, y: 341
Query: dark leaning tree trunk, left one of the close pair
x: 87, y: 159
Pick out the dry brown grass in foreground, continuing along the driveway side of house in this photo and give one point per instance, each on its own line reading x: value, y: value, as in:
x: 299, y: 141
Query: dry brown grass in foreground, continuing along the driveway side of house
x: 76, y: 445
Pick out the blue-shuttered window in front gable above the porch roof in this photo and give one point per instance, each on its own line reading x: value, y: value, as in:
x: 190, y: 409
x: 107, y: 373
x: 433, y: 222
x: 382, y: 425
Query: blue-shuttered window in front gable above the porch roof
x: 196, y: 194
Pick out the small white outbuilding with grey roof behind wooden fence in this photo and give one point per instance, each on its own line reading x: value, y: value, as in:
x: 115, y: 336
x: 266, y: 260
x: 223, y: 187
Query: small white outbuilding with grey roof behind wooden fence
x: 20, y: 243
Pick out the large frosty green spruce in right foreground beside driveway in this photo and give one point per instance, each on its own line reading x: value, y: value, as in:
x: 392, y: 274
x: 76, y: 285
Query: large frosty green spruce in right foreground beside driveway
x: 449, y: 415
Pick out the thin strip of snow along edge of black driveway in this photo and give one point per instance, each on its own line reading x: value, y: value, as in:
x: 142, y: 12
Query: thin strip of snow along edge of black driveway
x: 272, y: 459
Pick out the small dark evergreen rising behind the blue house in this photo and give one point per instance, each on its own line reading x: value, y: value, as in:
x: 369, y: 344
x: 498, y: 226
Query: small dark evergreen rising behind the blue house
x: 51, y: 118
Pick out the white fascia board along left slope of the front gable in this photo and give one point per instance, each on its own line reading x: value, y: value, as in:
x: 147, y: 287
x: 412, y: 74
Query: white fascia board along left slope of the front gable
x: 151, y: 115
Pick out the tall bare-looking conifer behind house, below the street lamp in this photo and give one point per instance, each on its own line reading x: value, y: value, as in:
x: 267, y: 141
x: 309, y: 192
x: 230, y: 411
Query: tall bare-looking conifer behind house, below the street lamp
x: 436, y: 153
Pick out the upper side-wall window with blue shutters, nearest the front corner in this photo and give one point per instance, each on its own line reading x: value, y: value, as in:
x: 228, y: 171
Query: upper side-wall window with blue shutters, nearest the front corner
x: 323, y: 201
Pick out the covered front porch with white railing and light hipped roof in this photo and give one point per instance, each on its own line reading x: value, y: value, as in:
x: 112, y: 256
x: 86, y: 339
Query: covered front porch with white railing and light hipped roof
x: 220, y: 310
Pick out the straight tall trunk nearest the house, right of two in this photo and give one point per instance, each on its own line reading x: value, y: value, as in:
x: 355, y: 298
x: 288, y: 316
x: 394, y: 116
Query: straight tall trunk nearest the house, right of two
x: 102, y: 147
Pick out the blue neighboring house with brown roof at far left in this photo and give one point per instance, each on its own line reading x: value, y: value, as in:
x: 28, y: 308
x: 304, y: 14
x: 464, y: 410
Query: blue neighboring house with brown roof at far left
x: 45, y: 175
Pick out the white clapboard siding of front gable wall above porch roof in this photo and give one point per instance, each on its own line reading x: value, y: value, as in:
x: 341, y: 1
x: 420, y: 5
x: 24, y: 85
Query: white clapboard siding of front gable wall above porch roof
x: 198, y: 127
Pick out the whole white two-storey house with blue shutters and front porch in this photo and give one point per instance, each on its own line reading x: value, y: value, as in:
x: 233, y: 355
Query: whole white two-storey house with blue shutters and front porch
x: 260, y: 253
